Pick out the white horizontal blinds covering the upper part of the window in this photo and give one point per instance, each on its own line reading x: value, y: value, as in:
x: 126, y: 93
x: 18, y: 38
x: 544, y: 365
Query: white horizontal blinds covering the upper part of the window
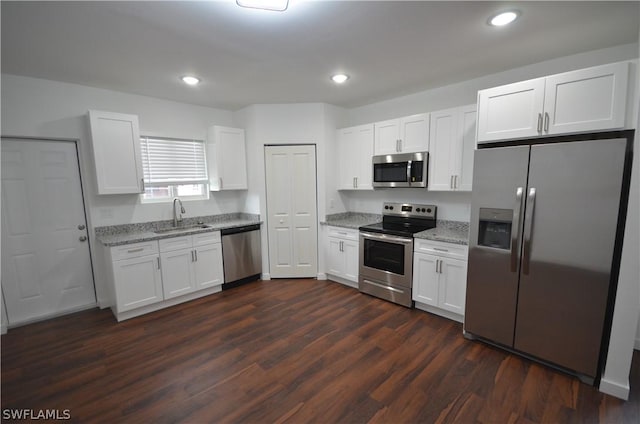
x: 173, y: 161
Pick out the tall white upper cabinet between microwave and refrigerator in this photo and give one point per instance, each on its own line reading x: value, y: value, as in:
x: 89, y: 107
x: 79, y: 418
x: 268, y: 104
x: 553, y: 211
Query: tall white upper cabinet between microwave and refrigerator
x: 452, y: 142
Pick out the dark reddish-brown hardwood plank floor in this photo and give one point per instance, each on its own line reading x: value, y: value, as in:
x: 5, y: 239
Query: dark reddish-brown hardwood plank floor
x: 292, y: 351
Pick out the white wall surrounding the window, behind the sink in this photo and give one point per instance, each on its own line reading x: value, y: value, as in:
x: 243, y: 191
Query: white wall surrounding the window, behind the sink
x: 47, y: 109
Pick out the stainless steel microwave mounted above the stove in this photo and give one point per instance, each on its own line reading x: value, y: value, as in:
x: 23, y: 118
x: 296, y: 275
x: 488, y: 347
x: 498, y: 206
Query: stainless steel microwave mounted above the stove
x: 400, y: 170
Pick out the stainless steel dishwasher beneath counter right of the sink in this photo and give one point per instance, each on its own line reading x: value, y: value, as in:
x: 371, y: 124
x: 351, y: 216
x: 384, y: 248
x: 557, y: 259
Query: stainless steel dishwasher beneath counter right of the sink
x: 241, y: 253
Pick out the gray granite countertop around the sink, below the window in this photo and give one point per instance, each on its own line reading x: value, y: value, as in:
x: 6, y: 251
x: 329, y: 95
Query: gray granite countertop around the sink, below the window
x: 117, y: 235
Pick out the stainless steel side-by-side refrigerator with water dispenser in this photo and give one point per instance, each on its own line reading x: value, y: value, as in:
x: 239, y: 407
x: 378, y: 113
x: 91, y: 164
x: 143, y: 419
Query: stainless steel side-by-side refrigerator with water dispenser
x: 545, y: 236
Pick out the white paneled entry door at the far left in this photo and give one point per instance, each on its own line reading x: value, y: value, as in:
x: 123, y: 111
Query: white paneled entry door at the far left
x: 46, y: 267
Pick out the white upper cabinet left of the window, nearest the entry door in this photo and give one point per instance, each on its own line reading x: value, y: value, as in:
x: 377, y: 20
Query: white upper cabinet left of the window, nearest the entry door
x: 116, y: 151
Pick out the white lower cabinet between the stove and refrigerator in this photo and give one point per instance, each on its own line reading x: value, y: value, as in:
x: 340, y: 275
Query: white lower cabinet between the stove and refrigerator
x: 440, y: 278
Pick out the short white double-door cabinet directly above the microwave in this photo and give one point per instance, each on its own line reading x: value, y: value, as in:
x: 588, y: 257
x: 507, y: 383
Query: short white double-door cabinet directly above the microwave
x: 405, y: 135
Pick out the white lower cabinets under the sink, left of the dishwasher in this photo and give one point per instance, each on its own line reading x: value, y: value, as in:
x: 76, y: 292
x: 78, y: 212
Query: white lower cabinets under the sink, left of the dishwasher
x: 152, y: 275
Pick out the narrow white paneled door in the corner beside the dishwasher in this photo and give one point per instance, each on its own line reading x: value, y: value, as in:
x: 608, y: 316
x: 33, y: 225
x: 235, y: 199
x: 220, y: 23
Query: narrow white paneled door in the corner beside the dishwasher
x: 291, y: 211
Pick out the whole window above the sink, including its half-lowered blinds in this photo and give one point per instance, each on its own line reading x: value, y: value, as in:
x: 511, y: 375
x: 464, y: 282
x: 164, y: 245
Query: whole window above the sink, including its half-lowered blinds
x: 173, y: 168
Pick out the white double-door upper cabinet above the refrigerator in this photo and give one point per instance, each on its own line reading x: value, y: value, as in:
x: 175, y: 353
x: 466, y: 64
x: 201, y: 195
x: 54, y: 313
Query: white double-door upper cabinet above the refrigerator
x: 586, y: 100
